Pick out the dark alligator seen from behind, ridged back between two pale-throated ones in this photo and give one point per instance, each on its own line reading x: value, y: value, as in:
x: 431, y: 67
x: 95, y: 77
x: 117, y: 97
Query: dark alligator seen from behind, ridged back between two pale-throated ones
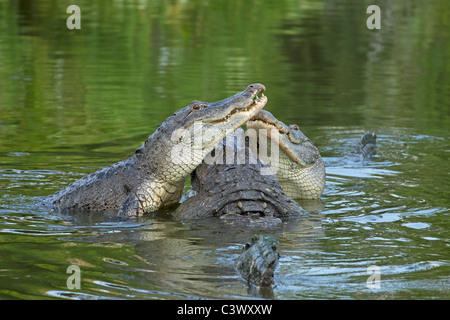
x: 229, y: 184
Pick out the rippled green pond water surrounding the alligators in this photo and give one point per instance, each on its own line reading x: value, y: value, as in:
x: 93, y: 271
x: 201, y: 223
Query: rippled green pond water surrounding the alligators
x: 75, y: 101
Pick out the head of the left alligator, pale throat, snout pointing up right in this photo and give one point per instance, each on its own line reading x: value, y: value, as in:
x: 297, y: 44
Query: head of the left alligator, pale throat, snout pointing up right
x: 184, y: 139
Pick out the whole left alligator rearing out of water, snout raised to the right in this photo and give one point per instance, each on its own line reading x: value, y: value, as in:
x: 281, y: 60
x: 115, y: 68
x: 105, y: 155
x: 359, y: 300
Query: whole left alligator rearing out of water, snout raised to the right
x: 154, y: 176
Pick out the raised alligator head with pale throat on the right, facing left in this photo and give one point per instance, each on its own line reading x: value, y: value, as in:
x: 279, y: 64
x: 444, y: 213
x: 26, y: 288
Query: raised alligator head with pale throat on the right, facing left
x: 299, y: 169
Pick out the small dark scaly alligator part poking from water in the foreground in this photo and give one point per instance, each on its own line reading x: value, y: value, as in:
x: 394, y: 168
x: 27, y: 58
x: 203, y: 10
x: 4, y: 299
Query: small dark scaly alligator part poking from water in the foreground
x: 258, y: 261
